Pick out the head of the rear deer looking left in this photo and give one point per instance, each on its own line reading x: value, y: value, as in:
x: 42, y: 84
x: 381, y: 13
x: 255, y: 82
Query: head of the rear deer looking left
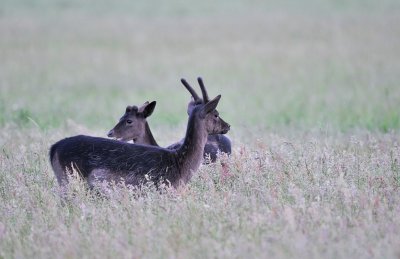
x: 132, y: 125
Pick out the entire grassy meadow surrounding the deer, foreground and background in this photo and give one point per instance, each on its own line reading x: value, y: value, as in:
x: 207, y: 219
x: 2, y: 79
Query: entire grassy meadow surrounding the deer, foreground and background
x: 311, y: 89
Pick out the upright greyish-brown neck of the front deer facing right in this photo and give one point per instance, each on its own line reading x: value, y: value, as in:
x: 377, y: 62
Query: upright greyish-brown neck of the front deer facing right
x: 190, y: 154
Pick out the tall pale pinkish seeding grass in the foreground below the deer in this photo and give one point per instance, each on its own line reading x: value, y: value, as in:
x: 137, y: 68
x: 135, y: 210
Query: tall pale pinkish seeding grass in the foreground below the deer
x: 307, y: 195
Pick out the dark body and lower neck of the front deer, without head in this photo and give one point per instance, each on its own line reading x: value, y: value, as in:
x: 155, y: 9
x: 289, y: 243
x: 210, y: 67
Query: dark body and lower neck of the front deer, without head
x: 99, y: 159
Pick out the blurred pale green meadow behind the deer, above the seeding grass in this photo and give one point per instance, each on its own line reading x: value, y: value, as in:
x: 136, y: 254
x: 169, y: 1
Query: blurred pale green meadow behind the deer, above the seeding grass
x: 278, y: 64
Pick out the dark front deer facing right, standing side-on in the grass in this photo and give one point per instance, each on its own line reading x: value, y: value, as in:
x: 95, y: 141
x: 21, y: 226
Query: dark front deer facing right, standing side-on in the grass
x: 98, y: 159
